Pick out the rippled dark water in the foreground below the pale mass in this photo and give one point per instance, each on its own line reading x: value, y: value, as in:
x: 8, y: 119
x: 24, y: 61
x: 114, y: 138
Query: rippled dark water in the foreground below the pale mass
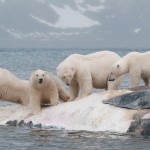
x: 30, y: 139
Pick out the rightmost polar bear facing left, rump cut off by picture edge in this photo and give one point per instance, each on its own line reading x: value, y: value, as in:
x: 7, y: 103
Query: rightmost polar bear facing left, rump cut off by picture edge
x: 136, y: 64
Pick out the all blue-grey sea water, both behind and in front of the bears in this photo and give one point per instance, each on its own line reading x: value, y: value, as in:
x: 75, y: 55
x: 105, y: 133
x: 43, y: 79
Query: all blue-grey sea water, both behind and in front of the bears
x: 22, y: 62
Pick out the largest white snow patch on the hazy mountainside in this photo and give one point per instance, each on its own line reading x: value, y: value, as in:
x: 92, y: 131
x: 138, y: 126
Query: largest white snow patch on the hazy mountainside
x: 68, y: 18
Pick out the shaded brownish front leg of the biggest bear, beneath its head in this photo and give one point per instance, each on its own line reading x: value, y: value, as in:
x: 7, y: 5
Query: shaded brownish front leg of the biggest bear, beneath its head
x: 74, y: 90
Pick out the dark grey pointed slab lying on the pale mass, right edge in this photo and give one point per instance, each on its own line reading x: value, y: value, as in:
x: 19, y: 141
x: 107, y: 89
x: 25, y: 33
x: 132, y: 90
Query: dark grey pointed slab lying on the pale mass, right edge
x: 134, y: 100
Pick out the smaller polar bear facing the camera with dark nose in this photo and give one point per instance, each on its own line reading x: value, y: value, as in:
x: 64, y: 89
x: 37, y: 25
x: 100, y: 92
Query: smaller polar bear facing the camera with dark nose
x: 44, y: 87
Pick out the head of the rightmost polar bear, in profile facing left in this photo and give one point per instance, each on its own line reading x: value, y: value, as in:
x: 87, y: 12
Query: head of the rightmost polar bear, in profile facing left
x: 118, y: 69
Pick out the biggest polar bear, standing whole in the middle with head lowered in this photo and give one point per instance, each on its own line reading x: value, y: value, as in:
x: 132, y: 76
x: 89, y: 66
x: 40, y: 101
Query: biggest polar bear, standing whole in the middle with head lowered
x: 83, y: 72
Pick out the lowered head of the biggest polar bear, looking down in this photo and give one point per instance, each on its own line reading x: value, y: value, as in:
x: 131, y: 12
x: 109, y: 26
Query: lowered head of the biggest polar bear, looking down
x: 66, y: 72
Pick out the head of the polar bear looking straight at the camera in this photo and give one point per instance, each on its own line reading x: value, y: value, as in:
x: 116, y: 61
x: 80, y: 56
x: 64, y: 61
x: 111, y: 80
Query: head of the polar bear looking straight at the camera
x: 39, y: 78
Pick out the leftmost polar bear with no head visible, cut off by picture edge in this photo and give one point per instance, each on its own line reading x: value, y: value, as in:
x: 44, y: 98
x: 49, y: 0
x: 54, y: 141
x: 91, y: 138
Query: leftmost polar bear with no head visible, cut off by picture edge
x: 13, y: 89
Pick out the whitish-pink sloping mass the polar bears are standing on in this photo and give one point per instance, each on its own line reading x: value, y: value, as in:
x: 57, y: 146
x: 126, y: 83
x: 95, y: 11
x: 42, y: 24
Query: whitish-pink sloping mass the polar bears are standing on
x: 85, y: 114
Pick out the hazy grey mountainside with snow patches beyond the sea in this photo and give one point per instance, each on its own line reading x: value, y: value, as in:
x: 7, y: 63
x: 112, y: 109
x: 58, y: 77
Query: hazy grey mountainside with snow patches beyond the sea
x: 75, y: 23
